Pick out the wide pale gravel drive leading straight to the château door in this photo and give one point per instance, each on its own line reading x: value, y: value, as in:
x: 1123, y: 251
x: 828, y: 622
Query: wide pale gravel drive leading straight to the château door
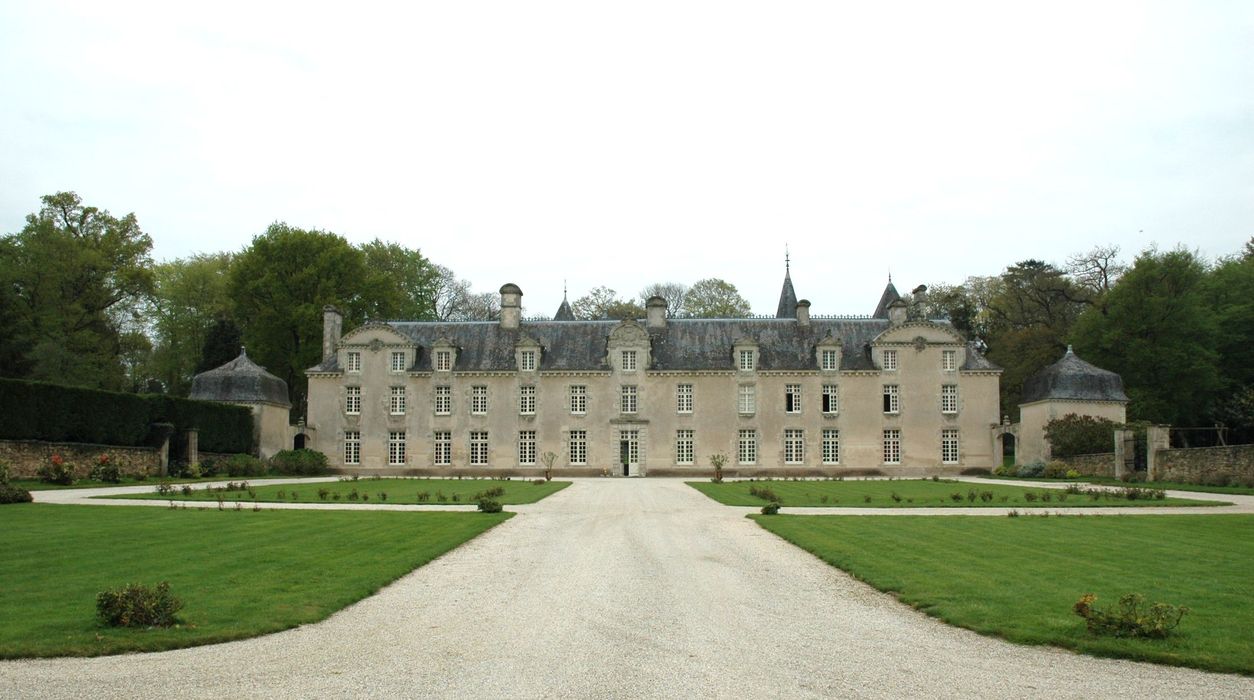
x: 619, y: 589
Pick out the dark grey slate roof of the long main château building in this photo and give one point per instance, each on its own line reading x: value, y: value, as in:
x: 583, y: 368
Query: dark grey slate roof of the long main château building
x: 683, y: 346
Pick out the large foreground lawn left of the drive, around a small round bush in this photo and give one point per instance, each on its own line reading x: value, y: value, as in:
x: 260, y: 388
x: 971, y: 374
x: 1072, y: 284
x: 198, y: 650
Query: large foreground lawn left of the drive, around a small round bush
x: 241, y: 574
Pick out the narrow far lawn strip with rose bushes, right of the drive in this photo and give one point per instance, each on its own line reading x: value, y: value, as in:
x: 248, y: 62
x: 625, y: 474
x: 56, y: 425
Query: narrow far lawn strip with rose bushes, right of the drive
x: 912, y: 494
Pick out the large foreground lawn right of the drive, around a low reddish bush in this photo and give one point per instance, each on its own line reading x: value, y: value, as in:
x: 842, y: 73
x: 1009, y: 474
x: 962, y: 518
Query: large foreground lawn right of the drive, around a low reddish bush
x: 1019, y: 578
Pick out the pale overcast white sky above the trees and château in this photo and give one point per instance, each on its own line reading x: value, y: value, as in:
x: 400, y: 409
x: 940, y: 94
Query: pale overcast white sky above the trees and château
x: 625, y: 144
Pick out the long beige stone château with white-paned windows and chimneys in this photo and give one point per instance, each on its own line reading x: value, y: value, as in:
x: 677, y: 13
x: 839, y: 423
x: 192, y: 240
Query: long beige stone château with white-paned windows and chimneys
x: 490, y: 398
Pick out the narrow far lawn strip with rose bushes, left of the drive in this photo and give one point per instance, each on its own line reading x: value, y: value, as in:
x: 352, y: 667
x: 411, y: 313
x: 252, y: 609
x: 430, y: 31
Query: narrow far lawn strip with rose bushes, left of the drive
x: 398, y: 491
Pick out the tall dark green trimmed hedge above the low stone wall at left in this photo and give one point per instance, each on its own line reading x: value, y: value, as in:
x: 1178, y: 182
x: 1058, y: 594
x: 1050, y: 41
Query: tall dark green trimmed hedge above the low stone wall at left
x: 37, y: 411
